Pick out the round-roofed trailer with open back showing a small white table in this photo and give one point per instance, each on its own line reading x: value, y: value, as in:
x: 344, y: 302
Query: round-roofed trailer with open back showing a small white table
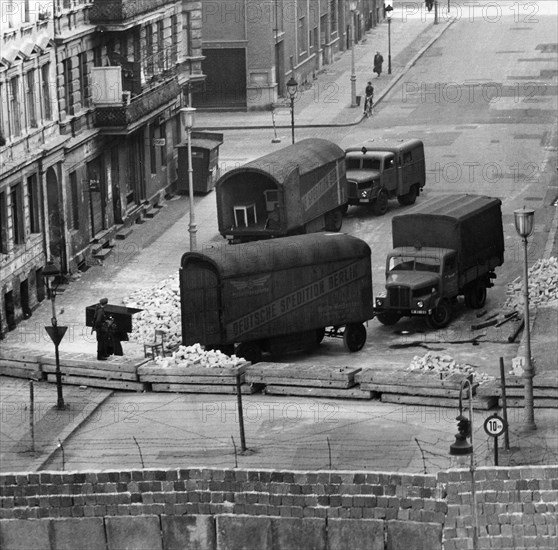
x: 298, y: 189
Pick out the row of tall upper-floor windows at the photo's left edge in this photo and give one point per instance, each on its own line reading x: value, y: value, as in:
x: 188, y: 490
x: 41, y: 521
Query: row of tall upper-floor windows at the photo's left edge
x: 27, y: 98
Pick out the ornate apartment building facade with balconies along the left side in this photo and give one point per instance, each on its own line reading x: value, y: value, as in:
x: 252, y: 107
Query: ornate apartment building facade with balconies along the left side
x: 91, y: 92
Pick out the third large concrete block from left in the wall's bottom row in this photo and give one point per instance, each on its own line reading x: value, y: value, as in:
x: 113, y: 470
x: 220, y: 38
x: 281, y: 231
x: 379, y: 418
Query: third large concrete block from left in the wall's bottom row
x: 137, y: 532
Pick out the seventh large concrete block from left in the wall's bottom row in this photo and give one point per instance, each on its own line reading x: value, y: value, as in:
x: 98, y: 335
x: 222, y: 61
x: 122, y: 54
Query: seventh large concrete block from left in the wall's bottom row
x: 356, y: 534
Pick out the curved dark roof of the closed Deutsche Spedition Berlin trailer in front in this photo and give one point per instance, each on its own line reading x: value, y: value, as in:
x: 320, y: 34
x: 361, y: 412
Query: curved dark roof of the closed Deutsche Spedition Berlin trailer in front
x: 279, y: 254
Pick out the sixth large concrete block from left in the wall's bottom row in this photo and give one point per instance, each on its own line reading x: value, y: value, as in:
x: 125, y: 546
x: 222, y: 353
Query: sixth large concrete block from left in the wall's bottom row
x: 287, y: 533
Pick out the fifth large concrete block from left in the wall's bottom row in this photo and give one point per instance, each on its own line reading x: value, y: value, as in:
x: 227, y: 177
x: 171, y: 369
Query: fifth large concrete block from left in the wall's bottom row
x: 241, y: 531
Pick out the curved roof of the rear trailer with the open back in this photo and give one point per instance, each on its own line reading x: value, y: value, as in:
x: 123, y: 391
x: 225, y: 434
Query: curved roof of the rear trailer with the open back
x: 306, y: 155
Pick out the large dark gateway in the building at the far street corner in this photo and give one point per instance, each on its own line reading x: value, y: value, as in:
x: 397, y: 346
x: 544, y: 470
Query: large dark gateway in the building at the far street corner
x: 225, y: 84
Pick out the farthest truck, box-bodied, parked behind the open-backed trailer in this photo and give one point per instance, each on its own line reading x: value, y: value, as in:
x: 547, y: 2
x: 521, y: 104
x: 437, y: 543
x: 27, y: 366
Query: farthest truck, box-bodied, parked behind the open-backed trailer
x: 379, y: 170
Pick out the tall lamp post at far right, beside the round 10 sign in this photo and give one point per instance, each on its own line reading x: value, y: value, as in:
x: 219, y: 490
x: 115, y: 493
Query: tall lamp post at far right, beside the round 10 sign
x: 524, y: 224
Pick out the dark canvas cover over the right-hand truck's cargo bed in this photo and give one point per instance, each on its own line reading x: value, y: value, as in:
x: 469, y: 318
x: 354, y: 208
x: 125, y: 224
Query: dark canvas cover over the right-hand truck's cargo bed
x: 469, y: 224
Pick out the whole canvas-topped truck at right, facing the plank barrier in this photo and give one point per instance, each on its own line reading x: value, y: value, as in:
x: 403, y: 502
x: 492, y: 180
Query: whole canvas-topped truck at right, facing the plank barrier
x: 447, y: 247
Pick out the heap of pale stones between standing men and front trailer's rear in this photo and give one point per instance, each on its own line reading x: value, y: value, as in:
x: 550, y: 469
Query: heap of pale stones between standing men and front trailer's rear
x: 161, y: 311
